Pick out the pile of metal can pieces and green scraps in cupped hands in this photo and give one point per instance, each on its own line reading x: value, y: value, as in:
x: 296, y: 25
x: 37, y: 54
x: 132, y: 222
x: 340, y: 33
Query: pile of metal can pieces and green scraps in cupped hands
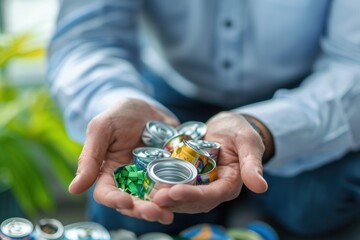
x: 175, y: 152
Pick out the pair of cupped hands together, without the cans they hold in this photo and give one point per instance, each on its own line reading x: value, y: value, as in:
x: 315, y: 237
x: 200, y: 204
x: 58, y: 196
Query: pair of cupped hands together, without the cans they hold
x: 112, y: 135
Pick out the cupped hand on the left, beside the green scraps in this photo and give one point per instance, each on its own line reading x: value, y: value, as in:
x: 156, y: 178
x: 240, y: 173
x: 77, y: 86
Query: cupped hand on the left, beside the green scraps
x: 110, y: 139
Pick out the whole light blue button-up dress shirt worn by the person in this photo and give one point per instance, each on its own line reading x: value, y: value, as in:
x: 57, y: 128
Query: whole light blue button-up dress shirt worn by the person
x: 295, y: 65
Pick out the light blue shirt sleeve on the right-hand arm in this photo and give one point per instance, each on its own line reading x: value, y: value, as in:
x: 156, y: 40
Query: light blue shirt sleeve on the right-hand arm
x: 318, y: 122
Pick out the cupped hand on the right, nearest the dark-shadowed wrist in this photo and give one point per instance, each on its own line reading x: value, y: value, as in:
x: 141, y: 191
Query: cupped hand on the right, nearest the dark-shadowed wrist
x: 240, y: 161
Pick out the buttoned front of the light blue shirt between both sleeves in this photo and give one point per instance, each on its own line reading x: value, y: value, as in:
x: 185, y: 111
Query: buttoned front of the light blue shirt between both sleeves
x: 235, y: 52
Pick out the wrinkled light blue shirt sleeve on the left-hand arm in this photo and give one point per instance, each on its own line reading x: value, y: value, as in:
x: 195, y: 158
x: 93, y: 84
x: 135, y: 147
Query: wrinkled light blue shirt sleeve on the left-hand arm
x: 93, y: 60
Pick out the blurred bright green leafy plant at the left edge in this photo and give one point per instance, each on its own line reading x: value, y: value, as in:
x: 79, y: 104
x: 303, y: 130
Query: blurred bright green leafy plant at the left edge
x: 35, y: 150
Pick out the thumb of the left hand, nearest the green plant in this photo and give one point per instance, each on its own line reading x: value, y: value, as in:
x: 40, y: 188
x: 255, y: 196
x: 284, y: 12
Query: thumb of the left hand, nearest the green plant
x: 92, y: 155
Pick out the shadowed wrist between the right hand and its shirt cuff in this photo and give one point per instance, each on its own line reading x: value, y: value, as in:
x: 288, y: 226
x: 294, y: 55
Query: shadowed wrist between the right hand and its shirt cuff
x: 265, y: 135
